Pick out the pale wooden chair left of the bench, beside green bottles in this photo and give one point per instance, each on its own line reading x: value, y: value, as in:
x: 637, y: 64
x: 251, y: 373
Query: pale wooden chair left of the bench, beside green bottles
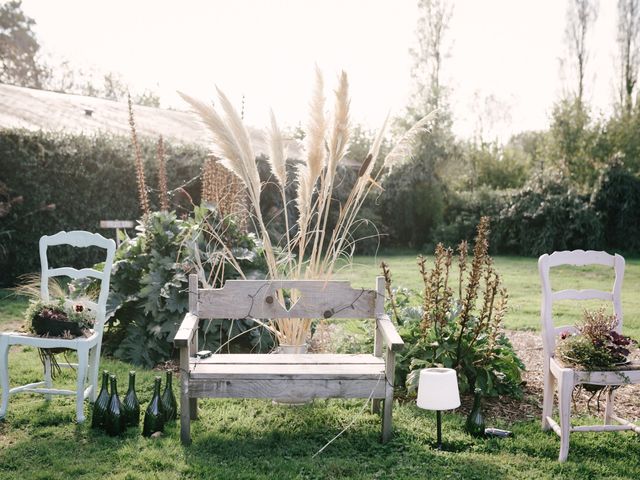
x: 87, y: 348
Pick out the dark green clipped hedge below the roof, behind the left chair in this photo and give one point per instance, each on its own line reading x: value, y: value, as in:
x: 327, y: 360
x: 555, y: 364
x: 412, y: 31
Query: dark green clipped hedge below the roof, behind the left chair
x: 88, y: 179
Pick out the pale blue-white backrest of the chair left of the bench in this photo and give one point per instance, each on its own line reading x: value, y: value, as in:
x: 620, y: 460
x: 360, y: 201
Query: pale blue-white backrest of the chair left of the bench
x: 79, y: 239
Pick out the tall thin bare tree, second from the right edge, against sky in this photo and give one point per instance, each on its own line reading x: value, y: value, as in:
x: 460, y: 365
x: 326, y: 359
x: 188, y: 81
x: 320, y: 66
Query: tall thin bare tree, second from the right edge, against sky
x: 581, y: 14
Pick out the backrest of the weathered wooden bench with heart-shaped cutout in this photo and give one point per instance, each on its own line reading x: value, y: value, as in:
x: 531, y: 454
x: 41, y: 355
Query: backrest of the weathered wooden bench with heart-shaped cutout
x: 262, y: 299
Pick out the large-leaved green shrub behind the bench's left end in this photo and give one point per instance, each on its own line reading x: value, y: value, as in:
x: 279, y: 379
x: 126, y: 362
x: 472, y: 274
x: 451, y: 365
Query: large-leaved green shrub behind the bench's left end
x: 149, y: 294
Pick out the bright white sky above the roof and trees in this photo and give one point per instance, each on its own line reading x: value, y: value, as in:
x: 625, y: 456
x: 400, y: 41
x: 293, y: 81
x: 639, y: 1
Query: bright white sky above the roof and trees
x: 267, y: 50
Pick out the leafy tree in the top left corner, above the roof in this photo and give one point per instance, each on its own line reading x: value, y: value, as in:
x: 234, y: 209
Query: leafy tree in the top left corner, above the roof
x: 19, y: 47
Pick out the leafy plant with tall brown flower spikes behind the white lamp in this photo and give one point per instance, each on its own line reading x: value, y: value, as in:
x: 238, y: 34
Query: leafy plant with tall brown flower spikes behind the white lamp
x: 462, y: 333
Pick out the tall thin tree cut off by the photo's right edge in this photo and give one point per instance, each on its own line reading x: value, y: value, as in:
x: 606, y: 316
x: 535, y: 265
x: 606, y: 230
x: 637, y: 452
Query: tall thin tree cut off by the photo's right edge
x: 628, y: 51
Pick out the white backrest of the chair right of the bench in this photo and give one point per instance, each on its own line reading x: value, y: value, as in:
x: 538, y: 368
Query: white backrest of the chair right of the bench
x: 549, y: 296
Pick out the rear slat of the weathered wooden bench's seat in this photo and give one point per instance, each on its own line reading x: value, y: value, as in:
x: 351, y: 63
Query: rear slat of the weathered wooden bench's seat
x: 288, y: 358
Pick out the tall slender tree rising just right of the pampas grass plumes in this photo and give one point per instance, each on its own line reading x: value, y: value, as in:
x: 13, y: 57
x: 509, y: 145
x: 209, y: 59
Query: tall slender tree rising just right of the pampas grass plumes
x: 413, y: 205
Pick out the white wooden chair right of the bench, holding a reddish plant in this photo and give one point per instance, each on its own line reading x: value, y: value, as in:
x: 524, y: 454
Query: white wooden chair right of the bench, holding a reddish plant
x: 567, y: 378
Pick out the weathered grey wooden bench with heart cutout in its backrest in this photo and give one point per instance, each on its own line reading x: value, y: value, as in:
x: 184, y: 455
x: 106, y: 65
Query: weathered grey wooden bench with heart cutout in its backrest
x: 286, y: 377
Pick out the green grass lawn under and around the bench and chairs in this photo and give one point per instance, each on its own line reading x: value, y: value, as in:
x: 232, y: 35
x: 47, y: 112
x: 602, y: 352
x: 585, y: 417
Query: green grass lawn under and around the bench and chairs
x: 253, y: 439
